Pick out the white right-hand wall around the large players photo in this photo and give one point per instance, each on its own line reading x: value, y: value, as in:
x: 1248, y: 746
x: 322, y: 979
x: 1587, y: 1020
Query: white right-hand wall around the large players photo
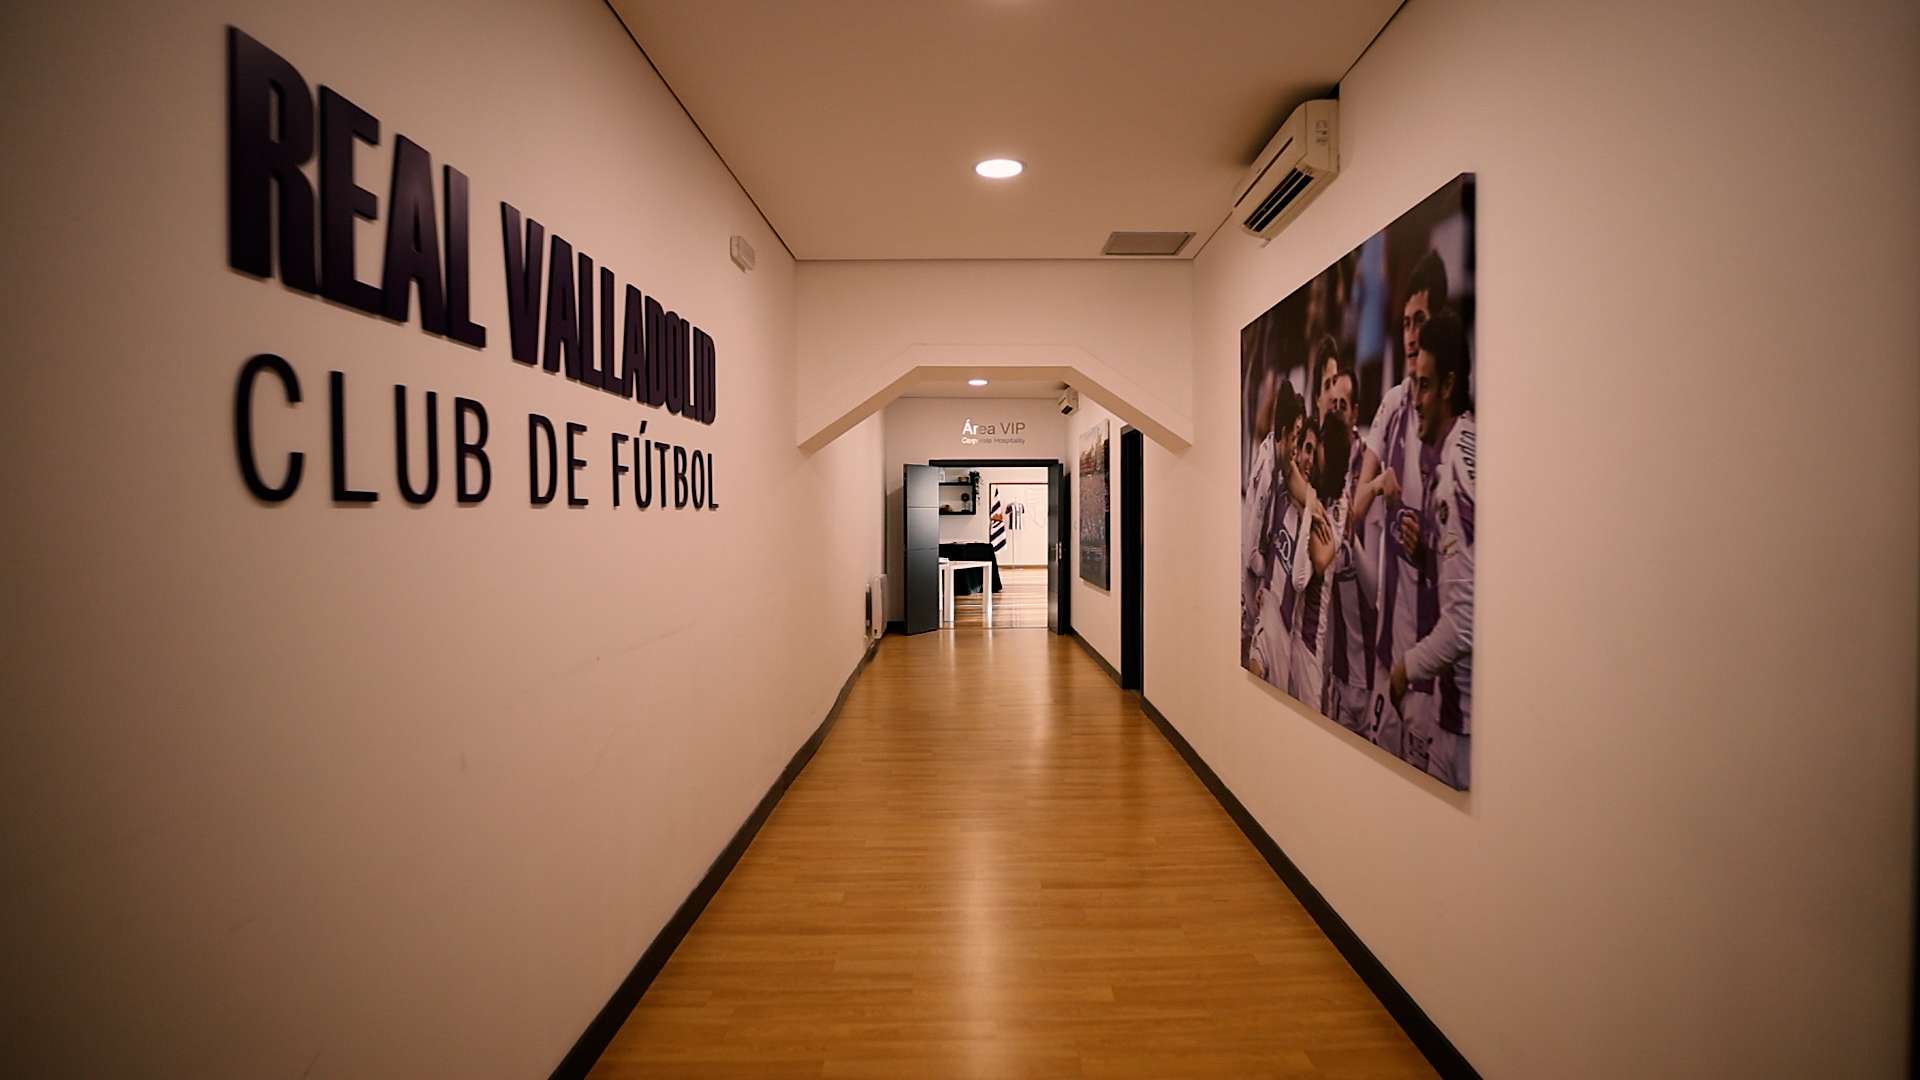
x: 1689, y: 848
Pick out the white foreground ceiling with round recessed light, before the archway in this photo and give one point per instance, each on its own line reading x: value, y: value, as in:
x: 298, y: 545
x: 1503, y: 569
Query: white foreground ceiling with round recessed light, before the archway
x: 855, y: 124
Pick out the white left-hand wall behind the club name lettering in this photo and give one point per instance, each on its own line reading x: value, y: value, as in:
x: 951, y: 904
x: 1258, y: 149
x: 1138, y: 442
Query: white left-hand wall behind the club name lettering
x: 310, y: 791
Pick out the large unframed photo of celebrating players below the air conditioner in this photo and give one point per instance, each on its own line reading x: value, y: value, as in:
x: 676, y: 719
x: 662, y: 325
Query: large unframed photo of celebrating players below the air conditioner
x: 1358, y: 489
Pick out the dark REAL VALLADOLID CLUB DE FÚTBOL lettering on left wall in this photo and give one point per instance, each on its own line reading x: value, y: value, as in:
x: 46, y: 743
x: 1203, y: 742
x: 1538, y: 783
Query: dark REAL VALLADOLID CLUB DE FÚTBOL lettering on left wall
x: 299, y: 228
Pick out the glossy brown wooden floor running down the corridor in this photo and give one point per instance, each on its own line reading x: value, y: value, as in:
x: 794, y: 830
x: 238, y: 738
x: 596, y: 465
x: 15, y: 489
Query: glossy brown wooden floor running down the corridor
x: 997, y: 868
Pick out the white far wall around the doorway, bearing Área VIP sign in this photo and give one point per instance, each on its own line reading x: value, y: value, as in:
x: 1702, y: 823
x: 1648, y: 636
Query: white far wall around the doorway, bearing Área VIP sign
x: 928, y: 430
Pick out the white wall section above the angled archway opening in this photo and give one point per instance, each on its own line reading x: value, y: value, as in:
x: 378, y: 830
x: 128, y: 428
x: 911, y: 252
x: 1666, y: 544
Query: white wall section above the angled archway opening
x: 1124, y: 326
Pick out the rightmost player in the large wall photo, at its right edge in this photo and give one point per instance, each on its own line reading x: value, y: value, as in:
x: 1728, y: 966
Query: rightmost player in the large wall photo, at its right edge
x: 1443, y: 656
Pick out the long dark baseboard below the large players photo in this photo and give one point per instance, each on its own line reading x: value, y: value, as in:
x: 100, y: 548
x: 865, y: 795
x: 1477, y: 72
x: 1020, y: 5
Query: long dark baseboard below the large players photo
x: 1426, y: 1035
